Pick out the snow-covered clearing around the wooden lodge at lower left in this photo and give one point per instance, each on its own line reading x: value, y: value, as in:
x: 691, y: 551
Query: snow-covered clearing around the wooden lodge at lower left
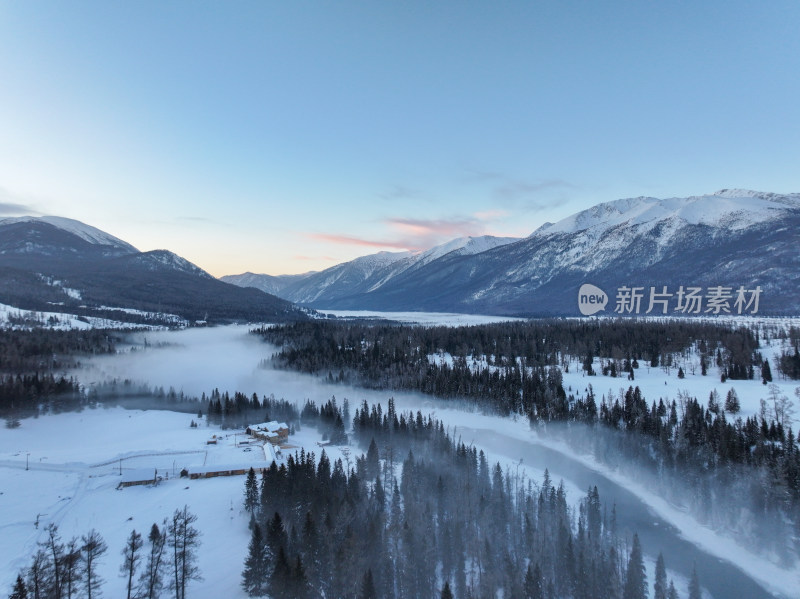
x: 74, y: 462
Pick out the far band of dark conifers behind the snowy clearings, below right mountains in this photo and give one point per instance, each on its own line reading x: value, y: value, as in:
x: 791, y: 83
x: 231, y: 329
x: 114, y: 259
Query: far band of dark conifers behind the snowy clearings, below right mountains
x: 372, y: 351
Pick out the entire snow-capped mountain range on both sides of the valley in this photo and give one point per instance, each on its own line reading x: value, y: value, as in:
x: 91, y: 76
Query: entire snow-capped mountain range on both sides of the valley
x: 731, y: 239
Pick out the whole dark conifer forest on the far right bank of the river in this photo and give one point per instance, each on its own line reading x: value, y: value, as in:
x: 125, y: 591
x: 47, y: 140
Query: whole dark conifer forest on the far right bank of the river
x: 740, y: 474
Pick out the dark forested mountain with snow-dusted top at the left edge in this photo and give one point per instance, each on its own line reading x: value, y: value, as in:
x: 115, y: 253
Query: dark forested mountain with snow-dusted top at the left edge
x: 54, y: 264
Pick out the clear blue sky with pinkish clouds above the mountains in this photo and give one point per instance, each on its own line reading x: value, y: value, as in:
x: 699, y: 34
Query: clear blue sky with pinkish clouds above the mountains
x: 283, y: 137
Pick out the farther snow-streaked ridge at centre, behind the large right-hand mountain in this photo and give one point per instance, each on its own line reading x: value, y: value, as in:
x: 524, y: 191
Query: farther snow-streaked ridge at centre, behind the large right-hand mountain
x: 364, y: 275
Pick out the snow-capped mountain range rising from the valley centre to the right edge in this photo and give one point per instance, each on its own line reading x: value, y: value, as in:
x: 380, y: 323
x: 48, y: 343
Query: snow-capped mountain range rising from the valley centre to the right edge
x: 732, y: 238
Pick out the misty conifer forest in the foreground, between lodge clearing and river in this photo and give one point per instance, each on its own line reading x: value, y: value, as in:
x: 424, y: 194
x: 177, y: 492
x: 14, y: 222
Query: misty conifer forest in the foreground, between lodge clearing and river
x: 452, y: 525
